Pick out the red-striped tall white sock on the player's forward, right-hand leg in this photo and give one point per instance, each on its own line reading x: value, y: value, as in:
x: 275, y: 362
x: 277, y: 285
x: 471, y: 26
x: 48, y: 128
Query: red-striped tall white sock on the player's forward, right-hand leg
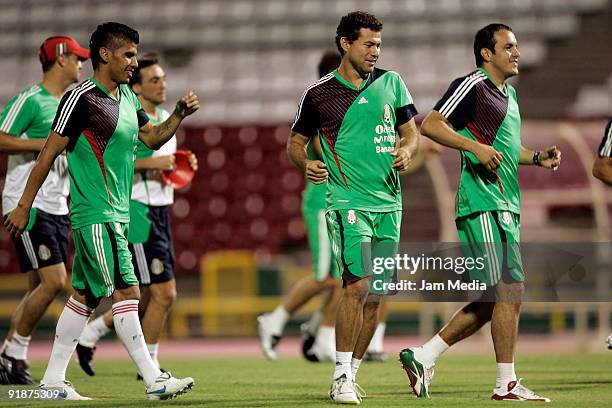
x: 127, y: 326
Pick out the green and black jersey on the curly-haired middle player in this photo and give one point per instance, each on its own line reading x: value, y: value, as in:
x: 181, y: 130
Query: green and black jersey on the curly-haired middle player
x: 358, y: 131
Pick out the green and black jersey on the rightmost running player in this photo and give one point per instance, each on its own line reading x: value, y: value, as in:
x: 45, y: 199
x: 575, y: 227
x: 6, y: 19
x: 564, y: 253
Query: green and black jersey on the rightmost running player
x: 477, y: 109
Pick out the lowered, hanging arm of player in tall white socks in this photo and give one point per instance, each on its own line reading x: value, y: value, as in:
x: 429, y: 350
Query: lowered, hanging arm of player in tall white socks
x: 17, y: 220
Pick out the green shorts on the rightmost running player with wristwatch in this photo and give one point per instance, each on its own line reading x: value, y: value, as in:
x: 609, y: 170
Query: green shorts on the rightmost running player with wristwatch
x: 494, y: 236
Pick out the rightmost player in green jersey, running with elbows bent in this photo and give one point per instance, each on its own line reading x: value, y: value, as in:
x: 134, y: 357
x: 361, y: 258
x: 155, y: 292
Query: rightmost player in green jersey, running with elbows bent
x: 479, y: 116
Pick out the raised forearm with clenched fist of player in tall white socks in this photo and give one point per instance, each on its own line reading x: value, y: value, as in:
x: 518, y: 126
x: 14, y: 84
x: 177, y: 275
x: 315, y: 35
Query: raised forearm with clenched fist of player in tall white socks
x: 154, y: 137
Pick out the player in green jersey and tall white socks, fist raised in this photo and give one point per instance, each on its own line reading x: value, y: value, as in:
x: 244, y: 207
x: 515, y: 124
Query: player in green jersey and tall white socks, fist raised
x: 99, y: 123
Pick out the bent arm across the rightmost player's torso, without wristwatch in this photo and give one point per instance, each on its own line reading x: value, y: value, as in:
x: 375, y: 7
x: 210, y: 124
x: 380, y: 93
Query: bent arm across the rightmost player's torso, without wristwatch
x: 436, y: 127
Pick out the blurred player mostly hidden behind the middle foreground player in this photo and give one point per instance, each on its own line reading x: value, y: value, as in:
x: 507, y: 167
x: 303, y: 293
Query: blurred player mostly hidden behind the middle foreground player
x: 318, y: 332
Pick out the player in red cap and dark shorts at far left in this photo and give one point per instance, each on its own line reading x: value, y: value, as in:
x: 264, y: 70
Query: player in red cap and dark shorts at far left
x: 42, y: 249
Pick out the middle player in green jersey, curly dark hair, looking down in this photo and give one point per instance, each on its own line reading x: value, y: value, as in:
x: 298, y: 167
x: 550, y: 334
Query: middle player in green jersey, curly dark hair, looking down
x: 364, y: 117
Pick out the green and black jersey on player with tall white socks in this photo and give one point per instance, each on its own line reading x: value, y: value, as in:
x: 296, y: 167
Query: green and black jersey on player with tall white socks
x: 102, y: 133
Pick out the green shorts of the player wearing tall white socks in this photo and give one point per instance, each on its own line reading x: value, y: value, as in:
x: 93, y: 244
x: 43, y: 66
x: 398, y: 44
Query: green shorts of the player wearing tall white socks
x: 102, y: 260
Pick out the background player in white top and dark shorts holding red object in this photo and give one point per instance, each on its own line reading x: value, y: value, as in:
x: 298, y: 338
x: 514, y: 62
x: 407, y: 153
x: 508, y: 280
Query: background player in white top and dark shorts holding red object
x: 150, y: 234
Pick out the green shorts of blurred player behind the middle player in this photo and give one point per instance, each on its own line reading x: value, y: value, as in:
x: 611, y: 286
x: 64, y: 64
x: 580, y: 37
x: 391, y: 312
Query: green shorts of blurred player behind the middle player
x: 323, y: 265
